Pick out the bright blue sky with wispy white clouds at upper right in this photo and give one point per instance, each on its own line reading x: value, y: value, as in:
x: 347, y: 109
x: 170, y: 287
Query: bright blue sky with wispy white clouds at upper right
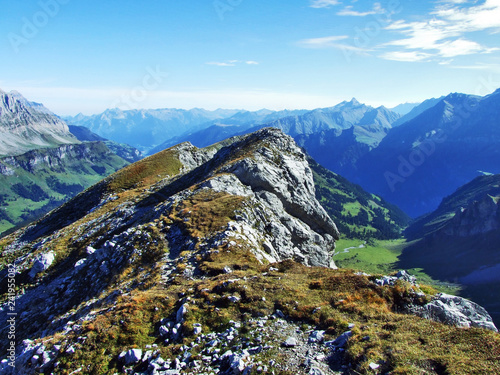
x: 86, y: 56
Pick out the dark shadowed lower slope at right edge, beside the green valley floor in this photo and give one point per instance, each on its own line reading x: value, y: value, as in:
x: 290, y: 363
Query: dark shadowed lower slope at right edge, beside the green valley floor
x: 463, y: 233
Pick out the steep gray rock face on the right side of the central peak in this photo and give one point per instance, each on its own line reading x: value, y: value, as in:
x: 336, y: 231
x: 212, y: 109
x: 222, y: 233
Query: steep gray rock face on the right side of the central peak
x: 280, y: 182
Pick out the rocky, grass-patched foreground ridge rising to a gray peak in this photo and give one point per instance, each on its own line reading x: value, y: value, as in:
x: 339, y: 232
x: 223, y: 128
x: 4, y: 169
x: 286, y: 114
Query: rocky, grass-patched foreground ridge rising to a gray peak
x: 165, y: 266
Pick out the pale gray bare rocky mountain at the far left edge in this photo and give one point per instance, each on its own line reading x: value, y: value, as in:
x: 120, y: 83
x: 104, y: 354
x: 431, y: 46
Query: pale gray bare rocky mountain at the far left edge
x: 26, y: 125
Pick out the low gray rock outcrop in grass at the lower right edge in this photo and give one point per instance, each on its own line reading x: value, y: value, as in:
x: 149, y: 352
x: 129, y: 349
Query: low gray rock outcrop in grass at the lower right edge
x: 455, y: 311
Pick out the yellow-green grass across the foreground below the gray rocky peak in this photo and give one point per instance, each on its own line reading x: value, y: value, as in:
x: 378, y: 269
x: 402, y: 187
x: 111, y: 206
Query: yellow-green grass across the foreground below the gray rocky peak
x: 403, y: 344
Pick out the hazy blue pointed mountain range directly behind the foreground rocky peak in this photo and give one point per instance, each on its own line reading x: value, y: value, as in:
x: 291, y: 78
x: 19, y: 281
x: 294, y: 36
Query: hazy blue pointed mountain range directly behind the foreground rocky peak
x: 336, y: 137
